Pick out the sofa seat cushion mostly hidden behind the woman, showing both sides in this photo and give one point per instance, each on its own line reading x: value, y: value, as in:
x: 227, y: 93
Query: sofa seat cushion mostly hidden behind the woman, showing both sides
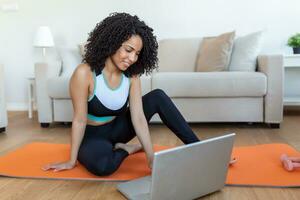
x: 58, y: 87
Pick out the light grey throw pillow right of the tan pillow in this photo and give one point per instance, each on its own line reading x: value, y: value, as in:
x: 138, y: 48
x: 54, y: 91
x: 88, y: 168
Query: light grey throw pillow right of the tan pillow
x: 245, y: 51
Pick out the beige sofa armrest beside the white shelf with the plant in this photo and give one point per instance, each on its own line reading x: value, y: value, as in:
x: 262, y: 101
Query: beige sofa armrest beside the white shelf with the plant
x: 272, y: 66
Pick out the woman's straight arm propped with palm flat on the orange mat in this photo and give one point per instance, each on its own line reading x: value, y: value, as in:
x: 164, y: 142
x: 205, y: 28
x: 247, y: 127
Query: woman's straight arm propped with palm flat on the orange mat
x: 79, y: 87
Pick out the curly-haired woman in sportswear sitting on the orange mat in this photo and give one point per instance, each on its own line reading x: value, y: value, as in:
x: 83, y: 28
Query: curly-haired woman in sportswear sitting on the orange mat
x: 119, y: 50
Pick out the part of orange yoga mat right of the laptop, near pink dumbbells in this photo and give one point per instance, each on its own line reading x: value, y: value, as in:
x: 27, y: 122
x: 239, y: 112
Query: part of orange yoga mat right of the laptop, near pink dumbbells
x: 260, y: 165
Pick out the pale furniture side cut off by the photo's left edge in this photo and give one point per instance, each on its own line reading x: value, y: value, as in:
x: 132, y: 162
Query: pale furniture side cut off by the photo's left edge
x: 3, y: 113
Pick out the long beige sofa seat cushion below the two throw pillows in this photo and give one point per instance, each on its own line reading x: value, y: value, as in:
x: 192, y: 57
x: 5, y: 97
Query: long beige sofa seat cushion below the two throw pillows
x: 211, y: 84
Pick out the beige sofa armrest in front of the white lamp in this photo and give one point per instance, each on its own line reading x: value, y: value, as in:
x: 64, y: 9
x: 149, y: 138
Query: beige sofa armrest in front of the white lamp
x: 42, y: 72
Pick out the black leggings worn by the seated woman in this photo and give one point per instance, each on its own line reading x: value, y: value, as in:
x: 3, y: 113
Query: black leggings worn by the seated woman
x: 97, y: 152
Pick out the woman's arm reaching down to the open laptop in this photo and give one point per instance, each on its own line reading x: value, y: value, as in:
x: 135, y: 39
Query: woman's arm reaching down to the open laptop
x: 138, y: 118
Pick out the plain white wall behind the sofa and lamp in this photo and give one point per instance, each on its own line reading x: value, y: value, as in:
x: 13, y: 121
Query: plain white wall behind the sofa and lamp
x: 71, y: 20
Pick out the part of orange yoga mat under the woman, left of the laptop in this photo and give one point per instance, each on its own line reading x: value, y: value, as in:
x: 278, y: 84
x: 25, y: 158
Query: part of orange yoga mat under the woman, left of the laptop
x: 28, y: 160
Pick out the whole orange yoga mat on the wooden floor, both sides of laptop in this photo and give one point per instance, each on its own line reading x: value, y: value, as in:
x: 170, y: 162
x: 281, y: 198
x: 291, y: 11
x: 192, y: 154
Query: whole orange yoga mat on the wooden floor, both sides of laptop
x: 256, y: 166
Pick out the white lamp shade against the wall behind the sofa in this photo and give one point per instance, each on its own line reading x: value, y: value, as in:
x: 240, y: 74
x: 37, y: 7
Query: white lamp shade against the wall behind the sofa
x: 43, y: 37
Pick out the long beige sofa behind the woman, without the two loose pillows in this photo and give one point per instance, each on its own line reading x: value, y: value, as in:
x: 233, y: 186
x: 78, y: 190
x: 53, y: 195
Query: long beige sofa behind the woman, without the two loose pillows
x: 200, y: 96
